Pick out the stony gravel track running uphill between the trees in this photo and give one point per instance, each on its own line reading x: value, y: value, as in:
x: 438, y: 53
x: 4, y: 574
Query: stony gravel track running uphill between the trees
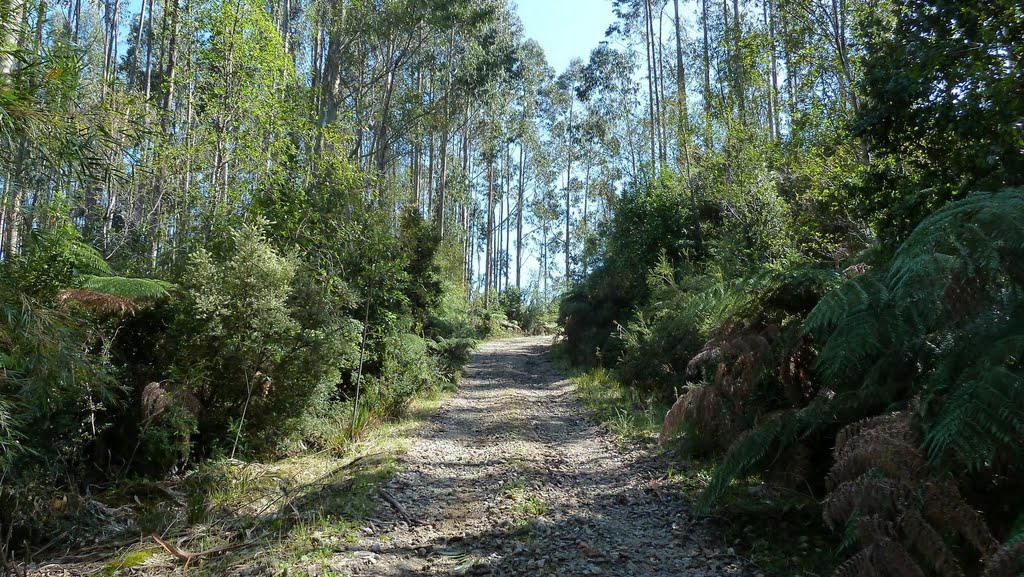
x: 513, y: 477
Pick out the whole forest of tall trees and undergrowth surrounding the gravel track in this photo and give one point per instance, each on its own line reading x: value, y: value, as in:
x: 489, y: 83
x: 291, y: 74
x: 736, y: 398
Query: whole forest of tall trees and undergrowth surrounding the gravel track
x: 242, y: 230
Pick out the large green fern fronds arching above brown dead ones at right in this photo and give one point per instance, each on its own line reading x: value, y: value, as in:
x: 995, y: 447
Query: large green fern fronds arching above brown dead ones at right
x: 938, y: 332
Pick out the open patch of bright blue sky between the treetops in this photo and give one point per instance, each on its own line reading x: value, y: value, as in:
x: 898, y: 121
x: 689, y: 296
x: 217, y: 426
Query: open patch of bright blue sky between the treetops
x: 566, y: 29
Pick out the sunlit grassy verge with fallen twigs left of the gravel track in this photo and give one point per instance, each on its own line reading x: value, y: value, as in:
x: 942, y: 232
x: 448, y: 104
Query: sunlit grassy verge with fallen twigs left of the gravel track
x: 235, y: 518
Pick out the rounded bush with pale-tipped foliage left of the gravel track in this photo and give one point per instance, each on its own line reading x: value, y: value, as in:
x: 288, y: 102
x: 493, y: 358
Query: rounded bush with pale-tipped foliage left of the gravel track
x: 258, y: 346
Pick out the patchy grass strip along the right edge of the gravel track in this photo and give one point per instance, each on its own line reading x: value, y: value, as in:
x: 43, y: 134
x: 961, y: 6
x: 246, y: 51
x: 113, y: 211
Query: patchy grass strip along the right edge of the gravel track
x: 781, y: 531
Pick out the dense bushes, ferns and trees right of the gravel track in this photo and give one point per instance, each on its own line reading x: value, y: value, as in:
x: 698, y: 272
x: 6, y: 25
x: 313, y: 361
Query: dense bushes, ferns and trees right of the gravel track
x: 829, y: 324
